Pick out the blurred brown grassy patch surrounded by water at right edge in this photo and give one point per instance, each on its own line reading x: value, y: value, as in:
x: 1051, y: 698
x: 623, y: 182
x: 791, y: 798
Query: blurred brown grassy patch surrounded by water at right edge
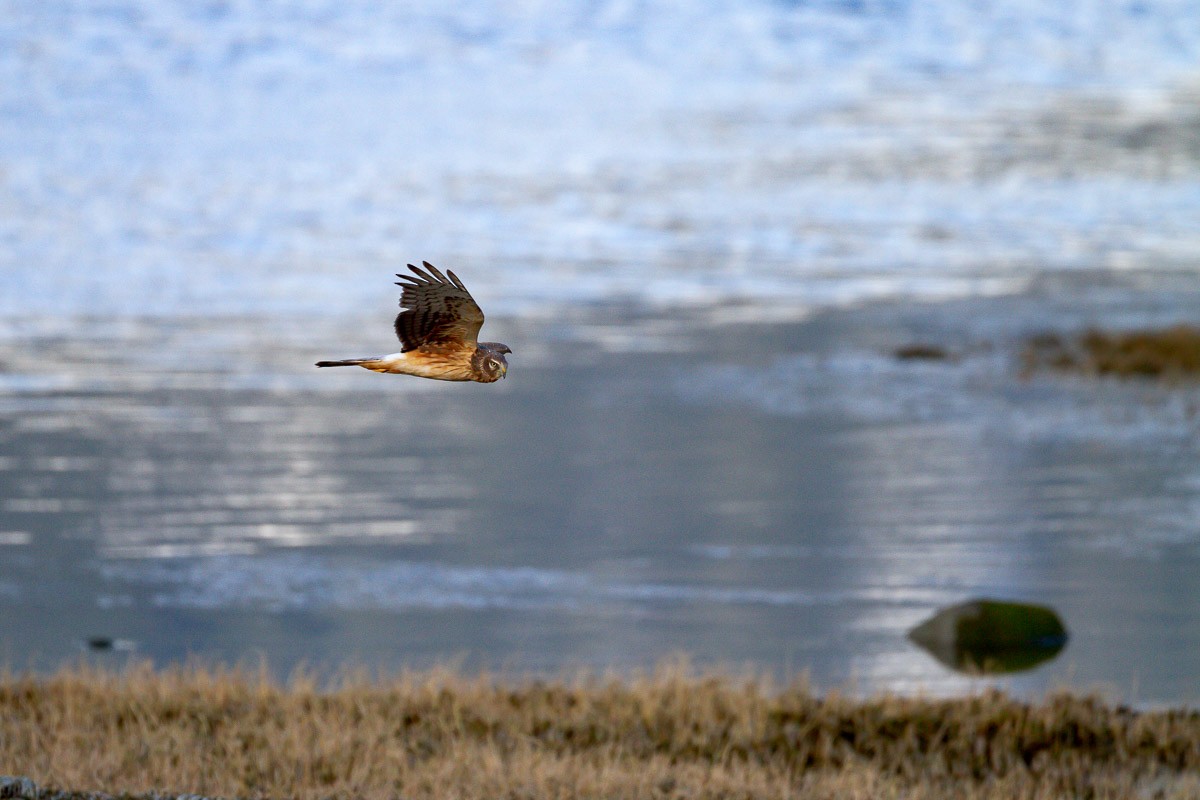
x: 1171, y: 353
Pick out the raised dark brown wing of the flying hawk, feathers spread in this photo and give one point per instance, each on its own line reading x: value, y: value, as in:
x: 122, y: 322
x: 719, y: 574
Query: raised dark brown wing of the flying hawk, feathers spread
x: 439, y: 310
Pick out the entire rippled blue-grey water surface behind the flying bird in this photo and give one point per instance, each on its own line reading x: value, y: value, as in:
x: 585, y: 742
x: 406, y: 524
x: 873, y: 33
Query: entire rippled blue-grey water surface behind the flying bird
x: 706, y: 230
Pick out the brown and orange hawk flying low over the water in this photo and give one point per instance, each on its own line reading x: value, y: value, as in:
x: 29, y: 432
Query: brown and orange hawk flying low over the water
x: 439, y: 329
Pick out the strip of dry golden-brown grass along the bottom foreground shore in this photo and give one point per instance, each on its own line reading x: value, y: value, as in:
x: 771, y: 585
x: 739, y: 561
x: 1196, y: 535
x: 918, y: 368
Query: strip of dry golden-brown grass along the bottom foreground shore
x: 673, y: 733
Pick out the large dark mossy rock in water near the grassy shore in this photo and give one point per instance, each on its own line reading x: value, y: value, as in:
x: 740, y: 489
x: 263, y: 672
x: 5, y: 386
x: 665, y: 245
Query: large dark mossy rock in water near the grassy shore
x: 992, y: 636
